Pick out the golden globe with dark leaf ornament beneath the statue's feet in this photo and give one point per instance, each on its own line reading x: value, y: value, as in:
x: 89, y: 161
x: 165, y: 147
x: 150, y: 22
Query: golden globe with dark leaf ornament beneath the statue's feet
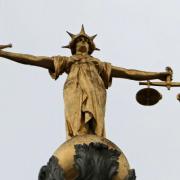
x: 89, y: 157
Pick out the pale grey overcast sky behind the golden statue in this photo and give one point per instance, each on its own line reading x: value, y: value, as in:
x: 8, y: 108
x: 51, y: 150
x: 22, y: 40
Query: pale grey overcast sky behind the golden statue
x: 137, y: 34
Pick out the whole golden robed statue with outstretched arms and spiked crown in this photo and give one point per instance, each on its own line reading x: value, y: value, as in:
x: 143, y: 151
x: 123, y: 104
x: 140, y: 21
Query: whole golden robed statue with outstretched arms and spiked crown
x: 86, y: 84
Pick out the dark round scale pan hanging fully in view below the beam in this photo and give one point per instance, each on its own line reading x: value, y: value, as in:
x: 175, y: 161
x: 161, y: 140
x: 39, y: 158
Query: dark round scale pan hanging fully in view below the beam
x: 148, y: 96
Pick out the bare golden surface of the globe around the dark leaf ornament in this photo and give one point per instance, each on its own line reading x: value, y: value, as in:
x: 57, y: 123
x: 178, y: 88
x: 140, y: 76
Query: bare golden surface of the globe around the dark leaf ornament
x: 65, y: 153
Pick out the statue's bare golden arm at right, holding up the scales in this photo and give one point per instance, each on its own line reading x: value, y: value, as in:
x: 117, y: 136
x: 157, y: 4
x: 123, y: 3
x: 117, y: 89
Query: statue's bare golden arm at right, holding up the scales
x: 132, y: 74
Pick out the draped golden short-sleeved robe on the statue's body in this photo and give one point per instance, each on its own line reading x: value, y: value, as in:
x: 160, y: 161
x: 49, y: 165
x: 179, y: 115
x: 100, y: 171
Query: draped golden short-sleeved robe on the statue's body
x: 84, y: 92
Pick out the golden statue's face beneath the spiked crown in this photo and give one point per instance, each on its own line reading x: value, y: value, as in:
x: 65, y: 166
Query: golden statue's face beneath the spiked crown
x: 82, y: 46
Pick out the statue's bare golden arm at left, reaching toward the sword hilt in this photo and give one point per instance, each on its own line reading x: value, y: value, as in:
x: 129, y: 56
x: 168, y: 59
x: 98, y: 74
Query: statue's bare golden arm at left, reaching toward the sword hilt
x: 41, y: 61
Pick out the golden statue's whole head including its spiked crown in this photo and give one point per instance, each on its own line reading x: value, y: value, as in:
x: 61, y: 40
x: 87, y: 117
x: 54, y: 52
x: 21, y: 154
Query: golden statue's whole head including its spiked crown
x: 81, y: 43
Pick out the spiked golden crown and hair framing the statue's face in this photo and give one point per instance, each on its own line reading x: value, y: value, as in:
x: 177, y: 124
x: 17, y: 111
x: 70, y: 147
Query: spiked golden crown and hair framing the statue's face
x: 75, y: 39
